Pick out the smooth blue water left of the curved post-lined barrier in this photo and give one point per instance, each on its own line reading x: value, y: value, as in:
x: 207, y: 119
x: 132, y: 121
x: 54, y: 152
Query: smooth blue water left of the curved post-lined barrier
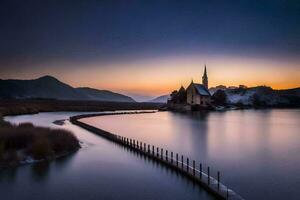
x: 100, y: 170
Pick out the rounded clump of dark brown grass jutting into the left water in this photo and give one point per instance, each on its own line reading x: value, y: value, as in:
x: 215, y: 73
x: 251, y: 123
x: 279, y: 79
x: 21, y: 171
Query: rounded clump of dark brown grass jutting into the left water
x: 37, y: 142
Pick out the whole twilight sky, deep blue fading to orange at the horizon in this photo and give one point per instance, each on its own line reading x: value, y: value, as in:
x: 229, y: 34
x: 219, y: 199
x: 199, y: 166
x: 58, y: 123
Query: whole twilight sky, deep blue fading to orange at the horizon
x: 151, y: 47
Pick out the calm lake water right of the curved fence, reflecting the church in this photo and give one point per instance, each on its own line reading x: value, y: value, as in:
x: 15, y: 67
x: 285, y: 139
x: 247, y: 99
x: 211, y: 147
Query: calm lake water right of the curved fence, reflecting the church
x: 257, y: 151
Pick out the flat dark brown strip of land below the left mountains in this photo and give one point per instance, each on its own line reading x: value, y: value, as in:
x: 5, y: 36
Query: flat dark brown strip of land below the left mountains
x: 31, y: 106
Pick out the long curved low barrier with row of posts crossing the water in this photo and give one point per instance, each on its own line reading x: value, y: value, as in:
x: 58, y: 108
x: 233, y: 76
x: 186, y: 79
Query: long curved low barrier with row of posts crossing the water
x: 187, y: 167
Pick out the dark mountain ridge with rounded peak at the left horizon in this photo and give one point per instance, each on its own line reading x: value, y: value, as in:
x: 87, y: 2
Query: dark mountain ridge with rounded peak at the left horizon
x: 48, y: 87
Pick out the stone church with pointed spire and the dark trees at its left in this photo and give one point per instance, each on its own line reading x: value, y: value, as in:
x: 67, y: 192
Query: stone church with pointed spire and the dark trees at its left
x: 196, y: 95
